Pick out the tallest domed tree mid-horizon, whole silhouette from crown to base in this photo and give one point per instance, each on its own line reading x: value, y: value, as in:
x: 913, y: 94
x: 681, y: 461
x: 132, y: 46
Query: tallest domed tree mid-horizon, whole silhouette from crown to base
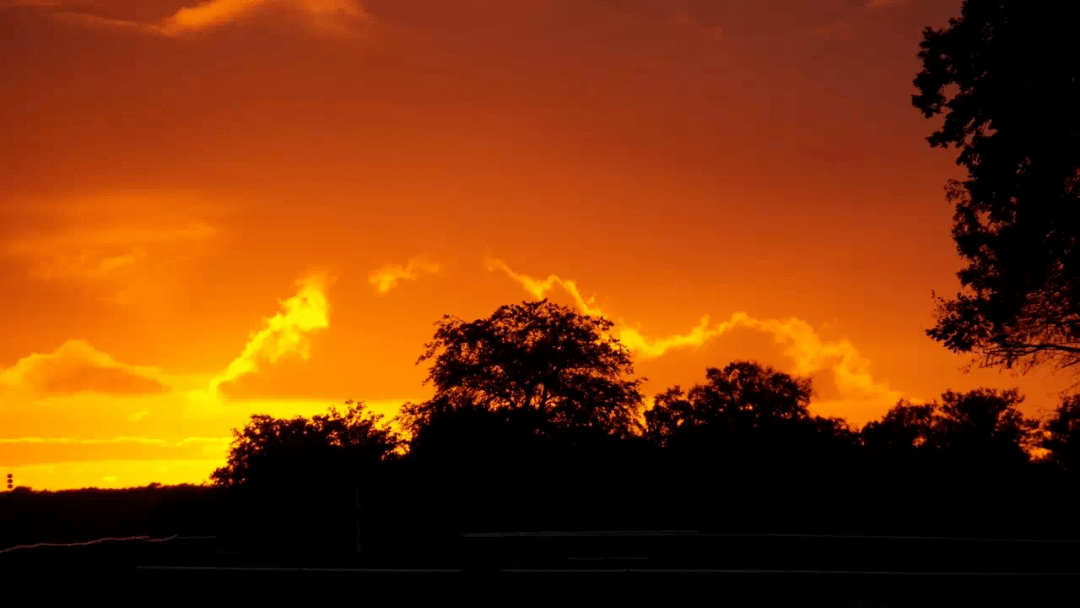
x: 532, y: 406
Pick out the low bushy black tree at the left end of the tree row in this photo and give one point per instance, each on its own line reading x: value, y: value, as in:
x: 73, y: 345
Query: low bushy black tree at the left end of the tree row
x: 292, y: 483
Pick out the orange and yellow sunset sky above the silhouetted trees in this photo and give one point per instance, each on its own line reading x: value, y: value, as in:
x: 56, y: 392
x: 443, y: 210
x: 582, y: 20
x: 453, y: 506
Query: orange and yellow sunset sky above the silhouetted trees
x: 262, y: 207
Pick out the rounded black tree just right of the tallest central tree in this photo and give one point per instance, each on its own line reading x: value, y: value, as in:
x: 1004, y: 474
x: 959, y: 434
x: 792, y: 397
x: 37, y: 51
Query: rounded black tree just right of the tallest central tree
x: 742, y: 447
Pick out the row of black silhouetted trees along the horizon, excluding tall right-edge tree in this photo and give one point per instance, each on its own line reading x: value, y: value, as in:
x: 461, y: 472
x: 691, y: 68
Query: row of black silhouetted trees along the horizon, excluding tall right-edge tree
x: 538, y: 423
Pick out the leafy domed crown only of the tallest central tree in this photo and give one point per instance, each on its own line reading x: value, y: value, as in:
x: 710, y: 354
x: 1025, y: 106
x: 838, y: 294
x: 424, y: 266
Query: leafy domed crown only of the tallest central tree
x: 538, y: 362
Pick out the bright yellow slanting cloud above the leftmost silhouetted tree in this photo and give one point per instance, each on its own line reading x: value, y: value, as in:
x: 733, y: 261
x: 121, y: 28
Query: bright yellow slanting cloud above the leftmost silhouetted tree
x: 286, y: 333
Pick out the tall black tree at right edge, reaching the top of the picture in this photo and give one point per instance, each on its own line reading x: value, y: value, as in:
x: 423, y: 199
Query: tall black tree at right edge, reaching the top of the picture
x: 1005, y: 77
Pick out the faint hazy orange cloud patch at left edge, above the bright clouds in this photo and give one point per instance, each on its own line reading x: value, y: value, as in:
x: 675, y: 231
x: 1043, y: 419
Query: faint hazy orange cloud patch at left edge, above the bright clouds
x: 129, y: 249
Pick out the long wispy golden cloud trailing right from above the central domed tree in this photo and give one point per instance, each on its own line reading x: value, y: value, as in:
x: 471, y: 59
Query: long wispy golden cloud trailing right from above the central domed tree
x: 809, y: 352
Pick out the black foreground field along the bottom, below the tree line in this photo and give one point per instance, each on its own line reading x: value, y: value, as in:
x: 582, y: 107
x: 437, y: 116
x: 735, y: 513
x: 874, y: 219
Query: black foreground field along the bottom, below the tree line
x: 583, y: 571
